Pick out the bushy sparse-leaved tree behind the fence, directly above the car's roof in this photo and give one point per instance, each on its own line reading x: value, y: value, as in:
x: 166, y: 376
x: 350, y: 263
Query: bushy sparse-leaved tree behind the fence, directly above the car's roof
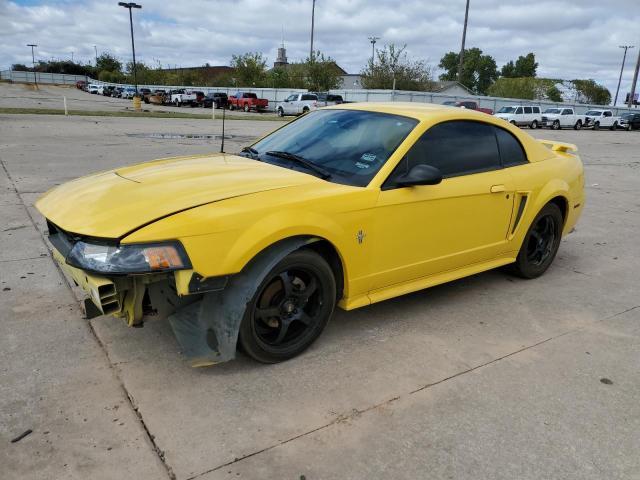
x: 392, y: 63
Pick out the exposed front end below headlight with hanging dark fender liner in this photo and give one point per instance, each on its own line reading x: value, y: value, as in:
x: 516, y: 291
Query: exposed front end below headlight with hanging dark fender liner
x: 204, y: 313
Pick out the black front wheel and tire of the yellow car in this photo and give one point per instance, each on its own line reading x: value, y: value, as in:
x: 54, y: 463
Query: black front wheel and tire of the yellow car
x: 289, y: 309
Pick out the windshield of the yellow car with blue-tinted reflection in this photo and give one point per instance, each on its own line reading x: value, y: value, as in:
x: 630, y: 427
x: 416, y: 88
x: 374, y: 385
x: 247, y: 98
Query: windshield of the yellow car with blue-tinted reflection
x: 351, y: 145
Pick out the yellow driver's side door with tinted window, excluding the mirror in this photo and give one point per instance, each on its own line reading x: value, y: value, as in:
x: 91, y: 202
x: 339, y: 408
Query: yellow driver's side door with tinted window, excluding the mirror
x: 425, y: 230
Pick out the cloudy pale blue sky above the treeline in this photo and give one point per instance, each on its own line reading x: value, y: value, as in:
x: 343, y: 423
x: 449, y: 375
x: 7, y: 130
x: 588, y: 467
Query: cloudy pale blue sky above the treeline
x: 571, y: 38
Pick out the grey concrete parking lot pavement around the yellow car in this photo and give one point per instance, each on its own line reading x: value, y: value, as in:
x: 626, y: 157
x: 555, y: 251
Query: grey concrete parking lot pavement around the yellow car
x: 489, y: 377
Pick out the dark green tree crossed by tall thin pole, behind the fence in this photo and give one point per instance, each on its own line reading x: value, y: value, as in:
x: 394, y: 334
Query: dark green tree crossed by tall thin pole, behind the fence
x: 478, y: 71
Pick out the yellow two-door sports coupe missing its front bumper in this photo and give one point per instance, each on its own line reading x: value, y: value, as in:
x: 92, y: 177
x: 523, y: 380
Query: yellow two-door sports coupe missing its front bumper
x: 347, y: 205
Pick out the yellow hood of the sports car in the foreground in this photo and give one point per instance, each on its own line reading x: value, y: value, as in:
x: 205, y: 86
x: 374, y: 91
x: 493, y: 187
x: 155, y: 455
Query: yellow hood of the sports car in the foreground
x: 114, y: 203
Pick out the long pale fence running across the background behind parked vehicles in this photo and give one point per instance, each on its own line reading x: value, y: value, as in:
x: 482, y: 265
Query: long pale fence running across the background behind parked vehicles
x: 277, y: 95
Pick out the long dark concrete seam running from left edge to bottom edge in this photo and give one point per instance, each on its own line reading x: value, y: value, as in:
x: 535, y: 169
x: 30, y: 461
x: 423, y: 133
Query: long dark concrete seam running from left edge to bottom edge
x: 151, y: 438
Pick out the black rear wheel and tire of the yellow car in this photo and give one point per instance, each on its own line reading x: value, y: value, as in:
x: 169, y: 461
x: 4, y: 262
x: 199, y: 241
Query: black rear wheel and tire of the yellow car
x: 540, y: 244
